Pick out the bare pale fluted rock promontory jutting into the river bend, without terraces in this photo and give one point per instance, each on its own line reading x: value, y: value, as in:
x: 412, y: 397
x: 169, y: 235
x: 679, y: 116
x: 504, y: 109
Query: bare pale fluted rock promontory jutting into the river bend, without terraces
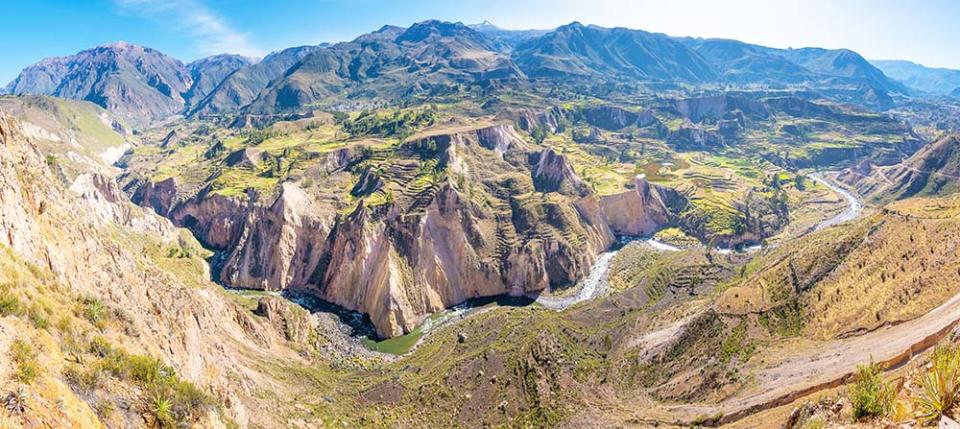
x: 399, y: 268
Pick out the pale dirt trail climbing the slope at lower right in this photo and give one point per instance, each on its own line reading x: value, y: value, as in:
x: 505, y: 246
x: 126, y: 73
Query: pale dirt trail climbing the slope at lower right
x: 830, y: 365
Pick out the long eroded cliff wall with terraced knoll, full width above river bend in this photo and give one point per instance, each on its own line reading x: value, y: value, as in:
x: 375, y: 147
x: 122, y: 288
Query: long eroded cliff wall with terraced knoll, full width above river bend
x: 450, y: 215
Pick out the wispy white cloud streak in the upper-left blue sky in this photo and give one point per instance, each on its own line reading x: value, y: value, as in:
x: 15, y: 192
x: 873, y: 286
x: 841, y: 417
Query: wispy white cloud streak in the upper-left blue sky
x: 211, y: 33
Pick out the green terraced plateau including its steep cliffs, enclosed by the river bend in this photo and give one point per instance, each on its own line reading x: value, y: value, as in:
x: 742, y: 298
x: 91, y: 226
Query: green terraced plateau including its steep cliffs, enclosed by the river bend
x: 530, y: 210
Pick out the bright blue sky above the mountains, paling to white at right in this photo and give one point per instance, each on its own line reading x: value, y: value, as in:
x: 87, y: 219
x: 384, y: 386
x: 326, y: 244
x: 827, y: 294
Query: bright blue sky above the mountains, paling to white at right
x: 923, y: 31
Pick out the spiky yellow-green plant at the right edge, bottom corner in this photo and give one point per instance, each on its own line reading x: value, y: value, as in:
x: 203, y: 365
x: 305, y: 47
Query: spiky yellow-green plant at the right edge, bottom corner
x: 939, y: 386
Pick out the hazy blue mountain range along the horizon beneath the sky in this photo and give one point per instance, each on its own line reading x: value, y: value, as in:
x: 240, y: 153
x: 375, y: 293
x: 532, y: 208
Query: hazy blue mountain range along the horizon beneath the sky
x: 144, y: 85
